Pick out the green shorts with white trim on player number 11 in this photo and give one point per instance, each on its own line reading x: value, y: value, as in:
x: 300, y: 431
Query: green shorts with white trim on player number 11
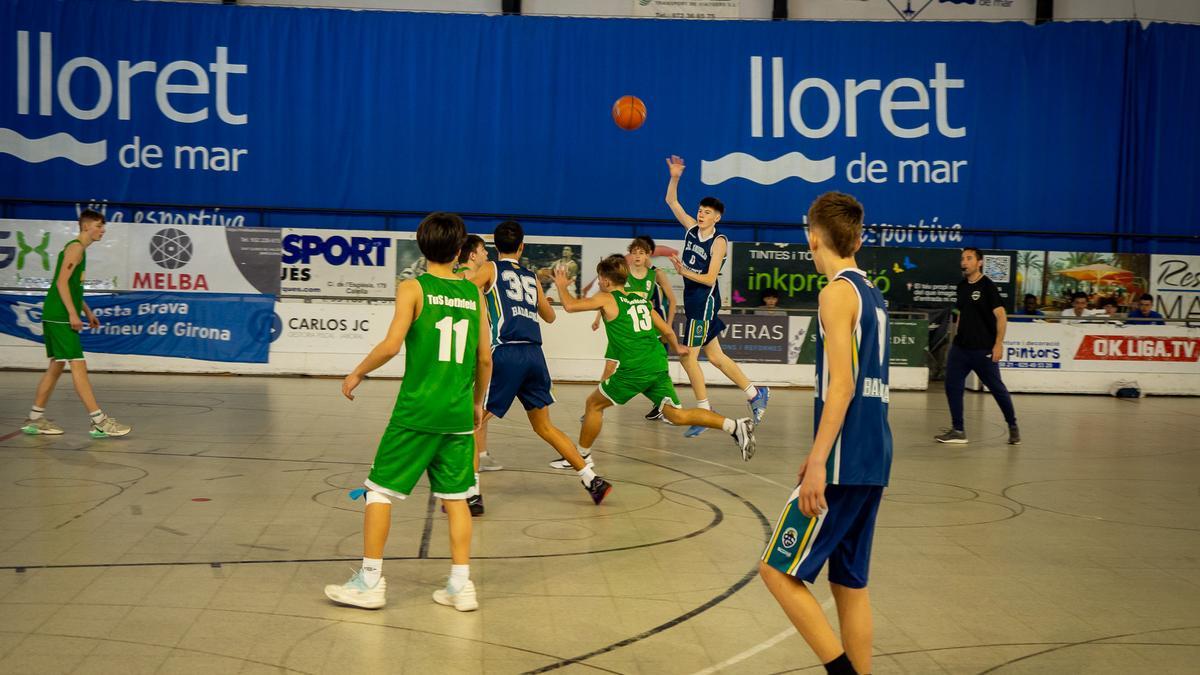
x: 405, y: 455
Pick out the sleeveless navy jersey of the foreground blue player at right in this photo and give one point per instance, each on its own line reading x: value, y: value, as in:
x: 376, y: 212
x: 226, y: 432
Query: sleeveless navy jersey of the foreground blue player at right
x: 862, y: 453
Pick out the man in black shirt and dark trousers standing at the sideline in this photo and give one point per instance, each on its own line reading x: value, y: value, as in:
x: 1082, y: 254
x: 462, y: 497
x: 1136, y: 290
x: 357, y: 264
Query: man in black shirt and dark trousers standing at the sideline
x: 979, y: 347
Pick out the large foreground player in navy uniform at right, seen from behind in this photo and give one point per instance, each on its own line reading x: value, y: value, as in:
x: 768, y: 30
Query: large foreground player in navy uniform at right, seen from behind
x: 831, y: 516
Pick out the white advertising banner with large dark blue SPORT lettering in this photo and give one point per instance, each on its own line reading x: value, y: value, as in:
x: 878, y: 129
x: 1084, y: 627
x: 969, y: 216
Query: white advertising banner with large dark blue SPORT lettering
x: 338, y: 264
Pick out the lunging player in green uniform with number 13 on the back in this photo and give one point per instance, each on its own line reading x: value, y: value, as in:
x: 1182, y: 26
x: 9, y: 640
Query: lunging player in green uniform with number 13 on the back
x: 634, y: 328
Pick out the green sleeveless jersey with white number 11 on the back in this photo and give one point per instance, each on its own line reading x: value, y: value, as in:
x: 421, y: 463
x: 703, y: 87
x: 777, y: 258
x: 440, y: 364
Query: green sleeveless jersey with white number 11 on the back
x: 437, y: 396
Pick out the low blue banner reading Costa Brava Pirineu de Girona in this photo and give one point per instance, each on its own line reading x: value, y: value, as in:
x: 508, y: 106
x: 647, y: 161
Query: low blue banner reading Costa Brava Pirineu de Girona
x: 208, y: 327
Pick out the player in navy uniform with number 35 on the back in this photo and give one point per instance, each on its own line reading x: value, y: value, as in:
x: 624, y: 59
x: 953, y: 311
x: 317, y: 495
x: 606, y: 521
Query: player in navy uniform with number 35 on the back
x: 515, y: 302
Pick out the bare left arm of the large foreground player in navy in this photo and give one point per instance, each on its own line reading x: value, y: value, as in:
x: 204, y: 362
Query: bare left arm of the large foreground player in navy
x: 838, y: 306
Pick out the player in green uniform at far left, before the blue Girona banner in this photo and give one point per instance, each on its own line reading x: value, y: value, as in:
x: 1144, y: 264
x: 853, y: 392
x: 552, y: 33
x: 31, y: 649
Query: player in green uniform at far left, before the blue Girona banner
x: 61, y: 328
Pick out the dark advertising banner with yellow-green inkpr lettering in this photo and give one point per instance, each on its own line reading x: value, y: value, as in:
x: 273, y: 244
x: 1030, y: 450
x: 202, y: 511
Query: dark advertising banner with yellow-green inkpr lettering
x: 908, y: 278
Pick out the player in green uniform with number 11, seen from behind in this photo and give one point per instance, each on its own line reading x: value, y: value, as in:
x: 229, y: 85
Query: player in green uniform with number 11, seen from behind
x: 440, y: 320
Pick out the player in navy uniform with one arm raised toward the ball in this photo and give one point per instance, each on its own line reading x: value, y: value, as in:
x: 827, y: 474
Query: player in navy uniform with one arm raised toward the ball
x: 700, y: 265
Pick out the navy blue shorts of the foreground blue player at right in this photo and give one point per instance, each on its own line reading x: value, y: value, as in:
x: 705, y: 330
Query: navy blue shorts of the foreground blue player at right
x: 801, y: 546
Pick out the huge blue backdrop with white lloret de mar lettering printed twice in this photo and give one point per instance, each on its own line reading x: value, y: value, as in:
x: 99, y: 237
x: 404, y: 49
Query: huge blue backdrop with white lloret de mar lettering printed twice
x: 986, y: 127
